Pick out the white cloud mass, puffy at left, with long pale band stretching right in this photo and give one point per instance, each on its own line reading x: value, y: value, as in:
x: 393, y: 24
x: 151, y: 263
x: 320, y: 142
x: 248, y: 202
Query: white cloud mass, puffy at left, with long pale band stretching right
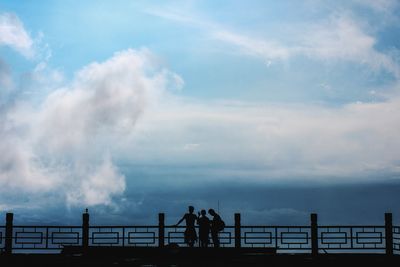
x: 117, y: 111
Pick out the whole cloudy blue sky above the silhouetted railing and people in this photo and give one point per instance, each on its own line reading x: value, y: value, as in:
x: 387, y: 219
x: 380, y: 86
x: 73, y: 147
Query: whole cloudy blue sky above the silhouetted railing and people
x: 129, y: 108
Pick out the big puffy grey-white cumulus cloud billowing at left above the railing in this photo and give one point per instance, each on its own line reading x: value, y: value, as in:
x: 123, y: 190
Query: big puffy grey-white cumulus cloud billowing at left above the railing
x: 62, y: 143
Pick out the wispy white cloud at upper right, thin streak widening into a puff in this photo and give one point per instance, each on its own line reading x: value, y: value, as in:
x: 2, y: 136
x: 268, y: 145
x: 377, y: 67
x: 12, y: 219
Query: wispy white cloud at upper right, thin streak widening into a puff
x: 339, y: 38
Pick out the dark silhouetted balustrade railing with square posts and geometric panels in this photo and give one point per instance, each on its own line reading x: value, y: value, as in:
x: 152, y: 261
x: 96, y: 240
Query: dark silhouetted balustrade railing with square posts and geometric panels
x: 285, y: 239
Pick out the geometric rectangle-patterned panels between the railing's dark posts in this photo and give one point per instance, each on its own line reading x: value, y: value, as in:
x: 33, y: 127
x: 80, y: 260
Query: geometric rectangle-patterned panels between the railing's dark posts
x: 284, y: 238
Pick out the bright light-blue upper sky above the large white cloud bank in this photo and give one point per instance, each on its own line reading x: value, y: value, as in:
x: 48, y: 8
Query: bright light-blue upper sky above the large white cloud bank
x: 183, y: 36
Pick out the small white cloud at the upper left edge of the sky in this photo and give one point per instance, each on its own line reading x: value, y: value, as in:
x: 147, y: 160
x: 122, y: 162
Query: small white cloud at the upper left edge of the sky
x: 13, y: 34
